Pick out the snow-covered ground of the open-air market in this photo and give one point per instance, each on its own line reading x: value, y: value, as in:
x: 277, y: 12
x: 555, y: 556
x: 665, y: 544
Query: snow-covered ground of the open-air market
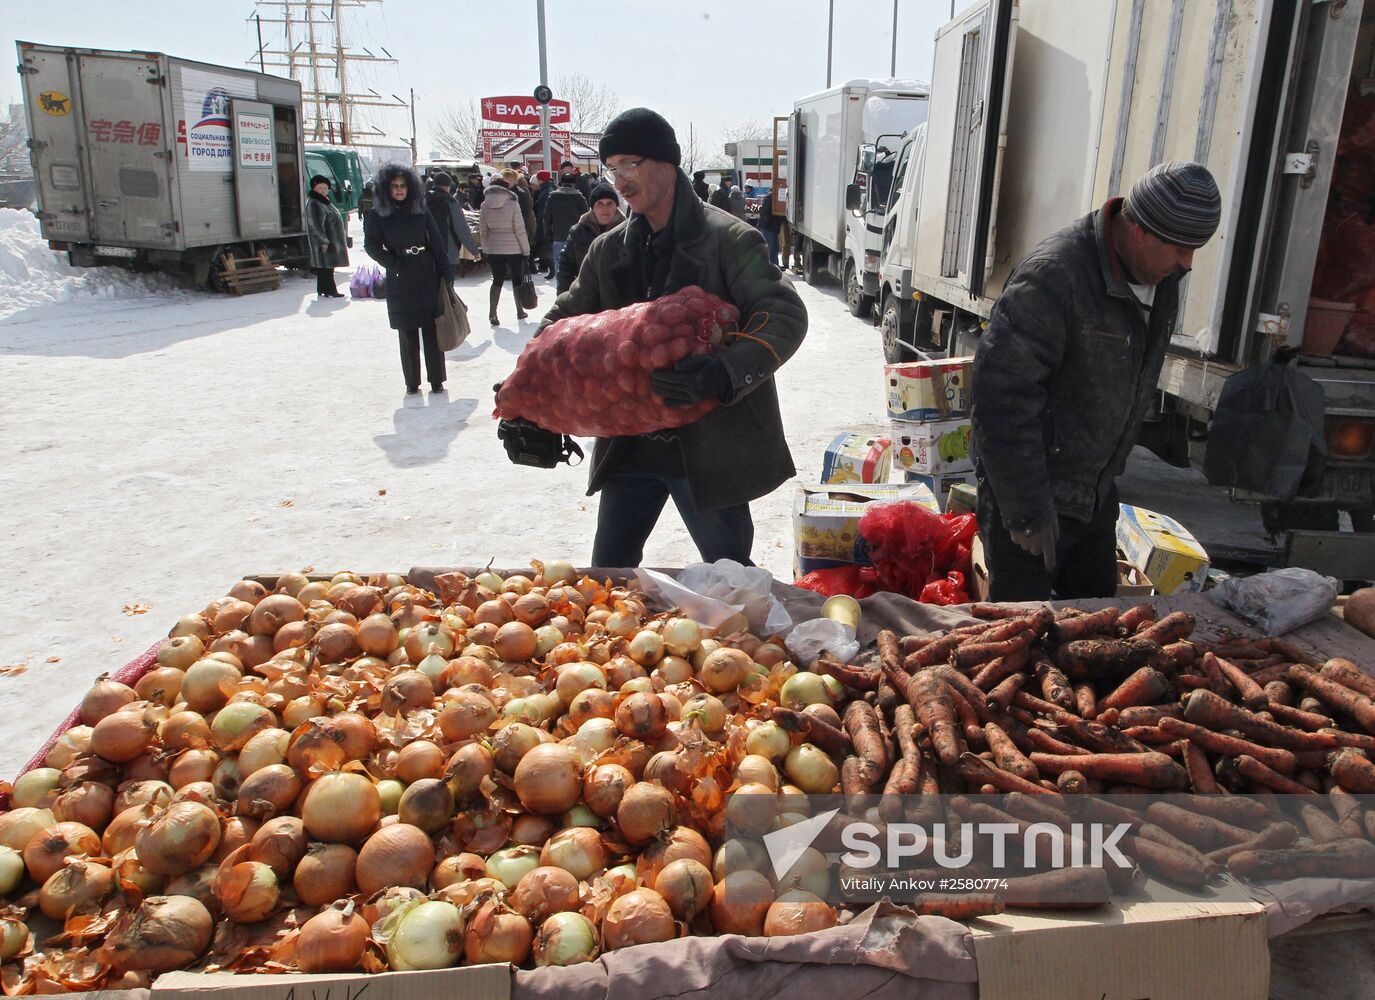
x: 159, y: 444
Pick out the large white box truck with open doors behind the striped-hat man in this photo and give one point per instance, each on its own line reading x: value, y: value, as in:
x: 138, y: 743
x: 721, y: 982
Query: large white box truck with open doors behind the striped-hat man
x: 1043, y: 111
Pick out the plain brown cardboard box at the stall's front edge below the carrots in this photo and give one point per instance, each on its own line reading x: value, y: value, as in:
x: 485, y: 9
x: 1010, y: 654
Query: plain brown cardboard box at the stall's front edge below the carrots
x: 1131, y: 950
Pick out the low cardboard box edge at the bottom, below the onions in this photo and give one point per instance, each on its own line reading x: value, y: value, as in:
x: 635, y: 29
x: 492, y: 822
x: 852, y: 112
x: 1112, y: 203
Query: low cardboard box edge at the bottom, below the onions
x: 471, y: 983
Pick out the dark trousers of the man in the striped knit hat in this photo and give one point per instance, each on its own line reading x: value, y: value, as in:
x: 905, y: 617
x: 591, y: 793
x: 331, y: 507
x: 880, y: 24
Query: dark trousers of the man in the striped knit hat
x: 1086, y: 562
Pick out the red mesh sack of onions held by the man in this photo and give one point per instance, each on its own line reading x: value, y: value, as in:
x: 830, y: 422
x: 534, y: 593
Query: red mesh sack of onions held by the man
x: 589, y: 375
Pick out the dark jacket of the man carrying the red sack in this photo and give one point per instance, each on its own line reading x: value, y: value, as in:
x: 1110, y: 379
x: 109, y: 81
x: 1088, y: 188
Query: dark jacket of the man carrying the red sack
x: 738, y: 452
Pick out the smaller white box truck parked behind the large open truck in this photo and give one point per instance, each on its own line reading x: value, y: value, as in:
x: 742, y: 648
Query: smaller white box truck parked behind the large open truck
x: 842, y: 152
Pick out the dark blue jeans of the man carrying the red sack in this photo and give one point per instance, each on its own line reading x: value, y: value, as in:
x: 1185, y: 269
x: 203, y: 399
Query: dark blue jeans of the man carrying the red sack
x: 630, y: 508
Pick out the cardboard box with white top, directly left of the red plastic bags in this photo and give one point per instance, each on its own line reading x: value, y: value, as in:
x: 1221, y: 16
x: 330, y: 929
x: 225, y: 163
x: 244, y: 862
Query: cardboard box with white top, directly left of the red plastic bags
x: 826, y: 522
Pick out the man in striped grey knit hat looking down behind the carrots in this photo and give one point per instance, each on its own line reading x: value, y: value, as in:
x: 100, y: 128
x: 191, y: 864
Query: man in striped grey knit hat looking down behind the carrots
x: 1066, y: 373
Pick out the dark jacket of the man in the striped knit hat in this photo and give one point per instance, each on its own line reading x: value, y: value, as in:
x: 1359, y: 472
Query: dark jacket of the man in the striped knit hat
x: 1065, y: 375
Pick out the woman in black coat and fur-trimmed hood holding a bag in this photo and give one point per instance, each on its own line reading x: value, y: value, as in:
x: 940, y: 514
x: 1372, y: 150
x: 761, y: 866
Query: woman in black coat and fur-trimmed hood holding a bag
x: 401, y: 236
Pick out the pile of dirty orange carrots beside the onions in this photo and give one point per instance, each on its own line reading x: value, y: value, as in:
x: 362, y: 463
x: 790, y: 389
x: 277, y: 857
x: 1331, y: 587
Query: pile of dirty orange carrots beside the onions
x: 1050, y: 710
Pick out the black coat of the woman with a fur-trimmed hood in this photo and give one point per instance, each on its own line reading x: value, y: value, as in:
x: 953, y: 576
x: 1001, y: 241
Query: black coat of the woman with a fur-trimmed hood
x: 388, y: 232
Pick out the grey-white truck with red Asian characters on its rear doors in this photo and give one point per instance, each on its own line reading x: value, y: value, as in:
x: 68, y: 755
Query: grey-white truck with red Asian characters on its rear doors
x: 151, y: 162
